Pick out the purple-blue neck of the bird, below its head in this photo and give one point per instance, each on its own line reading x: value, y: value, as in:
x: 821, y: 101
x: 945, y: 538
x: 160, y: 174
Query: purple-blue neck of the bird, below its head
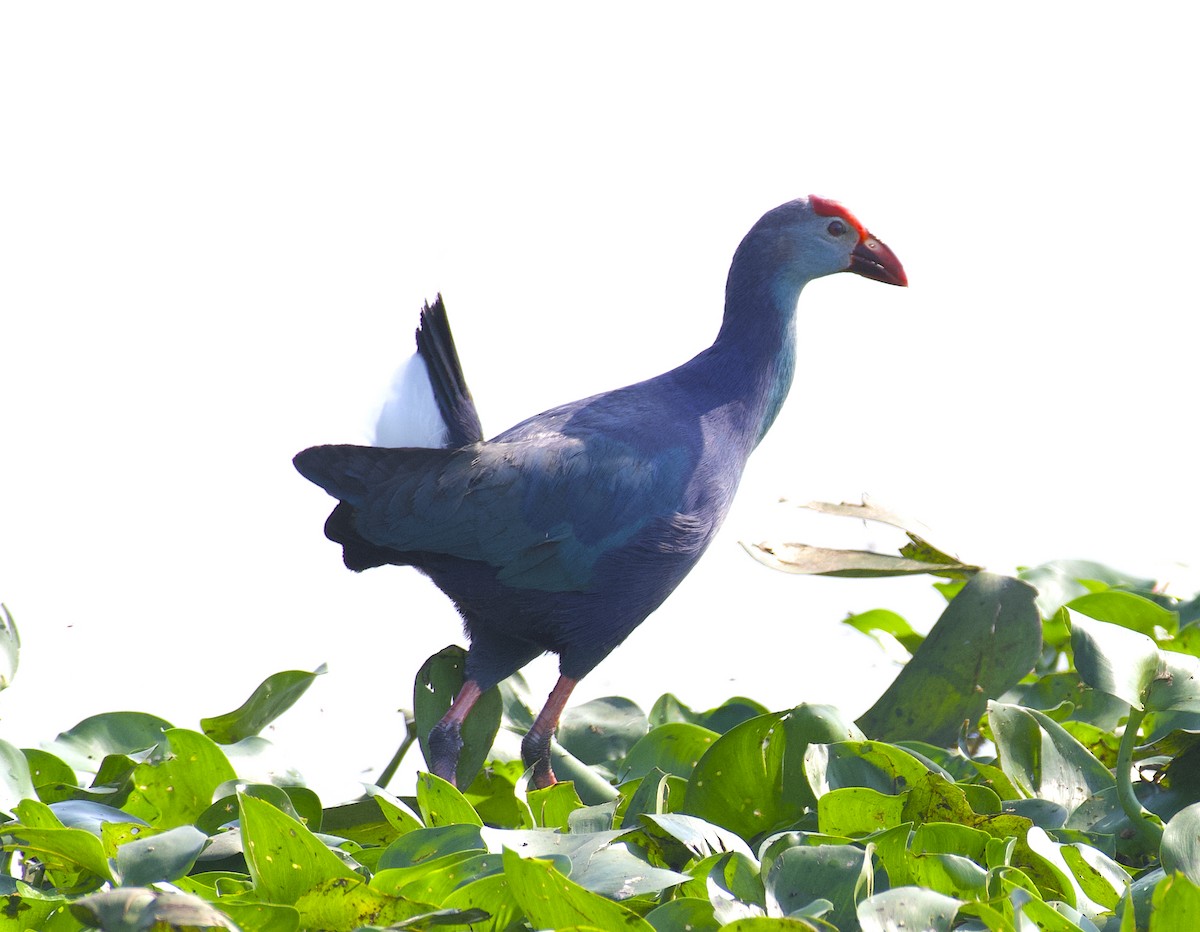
x: 754, y: 354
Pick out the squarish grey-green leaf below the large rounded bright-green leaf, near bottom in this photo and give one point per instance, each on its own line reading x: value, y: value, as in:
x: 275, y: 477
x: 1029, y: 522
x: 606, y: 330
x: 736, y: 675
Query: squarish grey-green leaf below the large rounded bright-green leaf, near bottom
x: 838, y: 874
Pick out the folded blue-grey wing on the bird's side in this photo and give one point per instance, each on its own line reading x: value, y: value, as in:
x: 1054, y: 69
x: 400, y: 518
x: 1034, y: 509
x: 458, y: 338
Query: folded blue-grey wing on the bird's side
x: 543, y: 509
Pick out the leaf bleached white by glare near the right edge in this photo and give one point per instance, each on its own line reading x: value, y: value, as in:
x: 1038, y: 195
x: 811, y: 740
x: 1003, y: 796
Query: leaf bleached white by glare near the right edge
x: 1114, y: 660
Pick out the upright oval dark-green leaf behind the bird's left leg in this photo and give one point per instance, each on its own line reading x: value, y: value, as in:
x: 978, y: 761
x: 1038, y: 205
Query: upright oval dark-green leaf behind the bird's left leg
x: 437, y: 683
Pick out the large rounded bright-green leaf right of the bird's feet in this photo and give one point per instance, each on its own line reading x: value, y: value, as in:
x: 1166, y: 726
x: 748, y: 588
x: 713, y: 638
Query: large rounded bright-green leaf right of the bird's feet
x: 753, y: 779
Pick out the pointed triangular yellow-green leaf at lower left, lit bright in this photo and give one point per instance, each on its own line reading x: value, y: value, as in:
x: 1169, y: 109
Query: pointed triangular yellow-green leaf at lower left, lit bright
x: 285, y: 859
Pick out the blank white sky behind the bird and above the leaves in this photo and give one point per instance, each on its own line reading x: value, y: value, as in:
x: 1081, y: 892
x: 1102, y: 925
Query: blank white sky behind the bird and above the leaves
x: 218, y: 225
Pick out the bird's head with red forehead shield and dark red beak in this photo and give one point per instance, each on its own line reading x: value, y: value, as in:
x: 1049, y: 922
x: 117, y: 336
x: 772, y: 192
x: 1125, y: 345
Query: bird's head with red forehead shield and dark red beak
x: 814, y: 237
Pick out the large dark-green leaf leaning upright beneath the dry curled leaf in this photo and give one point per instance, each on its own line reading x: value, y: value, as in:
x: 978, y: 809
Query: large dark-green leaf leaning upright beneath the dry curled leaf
x: 986, y: 641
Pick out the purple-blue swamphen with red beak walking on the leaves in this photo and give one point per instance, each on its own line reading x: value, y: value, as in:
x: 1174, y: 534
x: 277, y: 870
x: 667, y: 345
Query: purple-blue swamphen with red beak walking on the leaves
x: 563, y: 533
